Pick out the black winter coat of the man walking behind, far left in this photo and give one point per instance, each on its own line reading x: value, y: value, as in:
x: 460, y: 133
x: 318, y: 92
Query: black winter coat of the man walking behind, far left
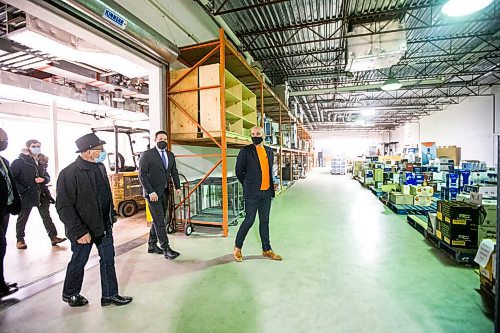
x: 25, y: 170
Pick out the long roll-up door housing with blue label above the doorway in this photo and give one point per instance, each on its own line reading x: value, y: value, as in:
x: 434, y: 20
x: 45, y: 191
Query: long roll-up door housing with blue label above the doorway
x: 132, y: 27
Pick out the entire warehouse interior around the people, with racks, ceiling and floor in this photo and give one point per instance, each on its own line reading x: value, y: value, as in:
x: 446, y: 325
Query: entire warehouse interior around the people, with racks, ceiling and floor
x: 384, y: 122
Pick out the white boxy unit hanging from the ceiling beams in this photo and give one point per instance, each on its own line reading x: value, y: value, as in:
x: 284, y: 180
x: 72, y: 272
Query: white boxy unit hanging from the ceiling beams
x: 368, y: 51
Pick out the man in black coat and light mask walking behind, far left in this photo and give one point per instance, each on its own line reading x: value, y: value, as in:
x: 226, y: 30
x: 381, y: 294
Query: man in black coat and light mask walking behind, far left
x: 31, y: 180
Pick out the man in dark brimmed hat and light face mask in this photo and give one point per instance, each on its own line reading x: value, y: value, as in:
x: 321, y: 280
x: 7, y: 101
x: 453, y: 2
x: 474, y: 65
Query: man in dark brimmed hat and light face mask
x: 85, y: 206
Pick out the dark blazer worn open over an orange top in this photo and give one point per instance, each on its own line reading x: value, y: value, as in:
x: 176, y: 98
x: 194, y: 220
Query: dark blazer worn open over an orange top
x: 249, y: 173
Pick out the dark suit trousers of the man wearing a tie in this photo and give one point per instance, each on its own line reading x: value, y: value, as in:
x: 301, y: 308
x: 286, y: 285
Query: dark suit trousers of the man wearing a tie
x: 160, y: 214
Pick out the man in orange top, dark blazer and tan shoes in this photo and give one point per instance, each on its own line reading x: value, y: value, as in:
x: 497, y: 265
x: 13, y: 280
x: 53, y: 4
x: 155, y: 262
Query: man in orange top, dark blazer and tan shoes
x: 254, y: 169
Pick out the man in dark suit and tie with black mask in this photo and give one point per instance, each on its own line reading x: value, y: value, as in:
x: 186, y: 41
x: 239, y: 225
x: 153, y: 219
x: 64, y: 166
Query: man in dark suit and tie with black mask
x: 156, y: 168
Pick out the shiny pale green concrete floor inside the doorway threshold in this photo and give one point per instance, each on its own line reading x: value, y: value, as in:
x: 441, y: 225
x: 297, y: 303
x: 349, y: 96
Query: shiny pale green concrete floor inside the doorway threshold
x: 350, y: 265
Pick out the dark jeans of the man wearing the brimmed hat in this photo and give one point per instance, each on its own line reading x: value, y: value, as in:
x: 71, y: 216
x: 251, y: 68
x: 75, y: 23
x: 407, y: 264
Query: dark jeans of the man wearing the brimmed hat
x: 76, y: 267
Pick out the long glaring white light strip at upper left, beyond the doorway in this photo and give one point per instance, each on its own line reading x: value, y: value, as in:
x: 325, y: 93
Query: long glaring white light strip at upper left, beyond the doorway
x: 90, y: 56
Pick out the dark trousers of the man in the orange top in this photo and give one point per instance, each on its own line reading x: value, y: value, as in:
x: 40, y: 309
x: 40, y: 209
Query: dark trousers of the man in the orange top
x: 262, y: 204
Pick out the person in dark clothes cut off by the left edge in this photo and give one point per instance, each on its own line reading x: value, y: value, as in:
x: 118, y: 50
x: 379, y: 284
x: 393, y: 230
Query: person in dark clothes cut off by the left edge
x: 10, y: 203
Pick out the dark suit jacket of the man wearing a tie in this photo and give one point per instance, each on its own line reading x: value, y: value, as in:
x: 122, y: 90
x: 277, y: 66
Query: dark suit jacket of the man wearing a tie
x: 152, y: 173
